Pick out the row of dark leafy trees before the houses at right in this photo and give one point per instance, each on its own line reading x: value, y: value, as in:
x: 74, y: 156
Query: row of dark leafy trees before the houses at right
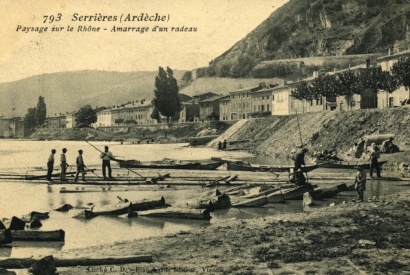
x: 350, y: 82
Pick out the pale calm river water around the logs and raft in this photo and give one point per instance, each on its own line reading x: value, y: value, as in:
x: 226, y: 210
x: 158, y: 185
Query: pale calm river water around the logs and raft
x: 20, y: 198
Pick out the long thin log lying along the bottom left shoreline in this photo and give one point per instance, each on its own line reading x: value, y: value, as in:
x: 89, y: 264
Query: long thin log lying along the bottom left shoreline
x: 17, y: 263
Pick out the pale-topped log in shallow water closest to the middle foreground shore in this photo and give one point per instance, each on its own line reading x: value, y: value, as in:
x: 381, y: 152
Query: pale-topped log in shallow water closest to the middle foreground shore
x: 178, y: 213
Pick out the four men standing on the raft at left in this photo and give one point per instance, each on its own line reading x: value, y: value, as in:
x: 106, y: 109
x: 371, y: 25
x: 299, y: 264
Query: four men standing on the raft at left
x: 106, y: 157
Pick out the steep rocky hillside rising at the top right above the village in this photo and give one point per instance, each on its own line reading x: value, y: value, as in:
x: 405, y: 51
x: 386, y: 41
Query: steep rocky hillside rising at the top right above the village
x: 320, y: 28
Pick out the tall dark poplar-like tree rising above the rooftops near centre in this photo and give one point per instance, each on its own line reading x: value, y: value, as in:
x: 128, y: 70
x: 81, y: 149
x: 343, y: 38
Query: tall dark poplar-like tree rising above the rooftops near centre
x: 166, y: 99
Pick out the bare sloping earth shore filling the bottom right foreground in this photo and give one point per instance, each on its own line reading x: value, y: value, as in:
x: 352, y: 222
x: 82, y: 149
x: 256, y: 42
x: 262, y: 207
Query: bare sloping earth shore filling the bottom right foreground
x: 348, y: 238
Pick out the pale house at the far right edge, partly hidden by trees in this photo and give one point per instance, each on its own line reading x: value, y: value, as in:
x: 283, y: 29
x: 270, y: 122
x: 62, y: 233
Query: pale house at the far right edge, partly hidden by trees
x: 394, y: 99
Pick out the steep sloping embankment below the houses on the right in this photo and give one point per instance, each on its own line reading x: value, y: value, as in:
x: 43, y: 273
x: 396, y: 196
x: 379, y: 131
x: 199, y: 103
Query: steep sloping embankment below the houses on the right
x: 332, y: 131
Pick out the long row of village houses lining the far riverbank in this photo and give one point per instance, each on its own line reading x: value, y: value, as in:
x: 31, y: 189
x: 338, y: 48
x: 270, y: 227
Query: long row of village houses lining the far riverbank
x: 261, y: 100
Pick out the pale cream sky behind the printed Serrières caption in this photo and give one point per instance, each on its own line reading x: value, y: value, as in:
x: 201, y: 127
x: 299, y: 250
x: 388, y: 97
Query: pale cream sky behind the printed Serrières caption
x: 220, y: 24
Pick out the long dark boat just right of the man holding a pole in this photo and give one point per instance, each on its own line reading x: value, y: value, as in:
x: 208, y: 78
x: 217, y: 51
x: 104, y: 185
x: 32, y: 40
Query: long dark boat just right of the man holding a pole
x: 170, y: 165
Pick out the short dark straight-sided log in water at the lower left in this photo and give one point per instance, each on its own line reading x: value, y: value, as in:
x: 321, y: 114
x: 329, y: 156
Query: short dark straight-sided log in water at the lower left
x: 43, y: 236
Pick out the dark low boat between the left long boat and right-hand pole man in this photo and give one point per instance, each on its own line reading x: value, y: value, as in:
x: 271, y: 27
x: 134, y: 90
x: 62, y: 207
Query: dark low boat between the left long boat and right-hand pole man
x: 244, y: 166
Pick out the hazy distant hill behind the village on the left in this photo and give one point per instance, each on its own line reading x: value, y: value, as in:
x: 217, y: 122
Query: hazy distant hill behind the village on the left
x: 67, y: 91
